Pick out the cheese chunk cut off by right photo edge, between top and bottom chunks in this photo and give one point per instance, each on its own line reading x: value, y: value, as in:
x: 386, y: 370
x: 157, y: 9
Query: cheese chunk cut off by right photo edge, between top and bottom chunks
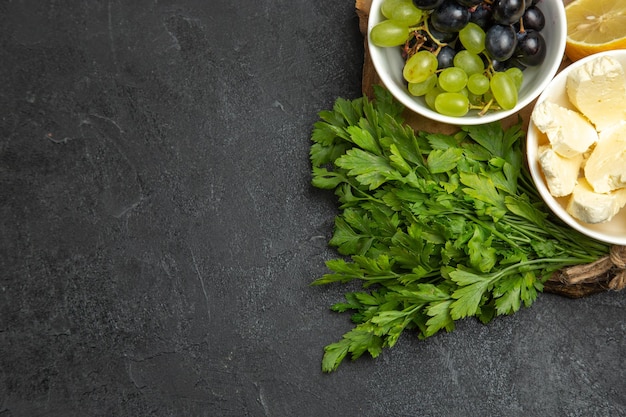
x: 606, y: 167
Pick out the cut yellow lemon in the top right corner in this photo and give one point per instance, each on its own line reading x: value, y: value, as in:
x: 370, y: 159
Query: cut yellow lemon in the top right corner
x: 595, y: 26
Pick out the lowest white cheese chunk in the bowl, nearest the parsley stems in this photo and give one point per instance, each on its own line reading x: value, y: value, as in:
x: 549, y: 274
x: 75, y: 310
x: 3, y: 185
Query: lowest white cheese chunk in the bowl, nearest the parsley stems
x: 591, y: 207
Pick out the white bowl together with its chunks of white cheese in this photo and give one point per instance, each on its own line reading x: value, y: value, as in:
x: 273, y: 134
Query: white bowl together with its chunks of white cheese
x: 576, y: 146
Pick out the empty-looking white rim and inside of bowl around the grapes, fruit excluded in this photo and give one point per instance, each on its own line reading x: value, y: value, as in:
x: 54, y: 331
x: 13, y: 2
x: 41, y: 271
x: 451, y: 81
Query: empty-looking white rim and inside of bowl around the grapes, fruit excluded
x: 388, y: 63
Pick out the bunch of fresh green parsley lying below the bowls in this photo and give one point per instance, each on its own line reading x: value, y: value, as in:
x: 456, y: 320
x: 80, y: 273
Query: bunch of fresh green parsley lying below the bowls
x: 436, y: 227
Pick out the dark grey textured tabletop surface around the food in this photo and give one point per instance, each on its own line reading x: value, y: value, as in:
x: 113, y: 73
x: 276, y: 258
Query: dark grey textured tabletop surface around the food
x: 159, y: 233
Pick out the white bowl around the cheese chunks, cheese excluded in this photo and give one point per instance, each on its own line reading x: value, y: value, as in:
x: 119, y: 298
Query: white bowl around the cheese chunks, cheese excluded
x: 614, y: 231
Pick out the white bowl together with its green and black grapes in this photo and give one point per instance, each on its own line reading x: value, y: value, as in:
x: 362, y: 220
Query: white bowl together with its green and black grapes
x: 466, y: 62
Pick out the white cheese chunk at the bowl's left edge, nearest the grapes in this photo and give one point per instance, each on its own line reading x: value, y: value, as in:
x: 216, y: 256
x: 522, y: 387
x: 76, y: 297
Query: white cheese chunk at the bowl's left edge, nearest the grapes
x: 569, y: 133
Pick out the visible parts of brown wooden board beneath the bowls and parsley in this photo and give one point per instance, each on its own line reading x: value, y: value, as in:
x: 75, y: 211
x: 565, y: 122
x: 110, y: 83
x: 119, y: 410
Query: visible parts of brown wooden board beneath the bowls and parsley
x: 608, y: 273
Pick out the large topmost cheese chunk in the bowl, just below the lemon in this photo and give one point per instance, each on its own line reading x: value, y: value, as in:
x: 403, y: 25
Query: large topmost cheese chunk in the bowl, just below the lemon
x: 598, y: 90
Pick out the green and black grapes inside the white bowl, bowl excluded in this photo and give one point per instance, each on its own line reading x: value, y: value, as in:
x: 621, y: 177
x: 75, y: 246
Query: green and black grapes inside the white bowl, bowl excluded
x: 464, y: 54
